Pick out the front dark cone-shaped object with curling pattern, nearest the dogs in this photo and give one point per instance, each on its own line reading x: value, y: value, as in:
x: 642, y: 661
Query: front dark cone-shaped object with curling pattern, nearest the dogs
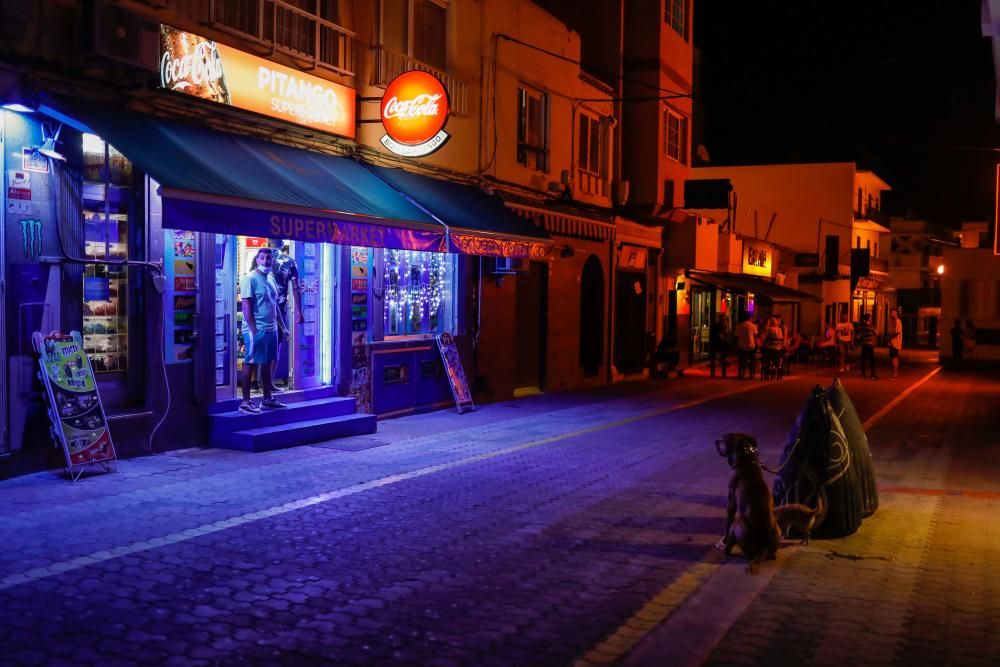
x: 817, y: 460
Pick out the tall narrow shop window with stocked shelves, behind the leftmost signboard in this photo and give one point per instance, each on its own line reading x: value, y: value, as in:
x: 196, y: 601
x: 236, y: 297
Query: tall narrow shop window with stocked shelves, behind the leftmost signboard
x: 107, y: 189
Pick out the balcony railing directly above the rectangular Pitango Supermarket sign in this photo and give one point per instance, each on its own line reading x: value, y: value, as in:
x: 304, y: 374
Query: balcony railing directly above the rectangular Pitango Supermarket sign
x: 288, y: 30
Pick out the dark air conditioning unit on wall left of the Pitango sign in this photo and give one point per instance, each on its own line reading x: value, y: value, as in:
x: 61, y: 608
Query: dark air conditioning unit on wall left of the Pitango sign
x: 116, y: 33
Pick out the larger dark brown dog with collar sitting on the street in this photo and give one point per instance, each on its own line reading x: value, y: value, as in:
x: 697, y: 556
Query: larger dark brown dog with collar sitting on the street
x: 750, y: 520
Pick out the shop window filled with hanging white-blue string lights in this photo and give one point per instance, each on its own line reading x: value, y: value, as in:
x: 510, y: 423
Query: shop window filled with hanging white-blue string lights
x: 418, y: 292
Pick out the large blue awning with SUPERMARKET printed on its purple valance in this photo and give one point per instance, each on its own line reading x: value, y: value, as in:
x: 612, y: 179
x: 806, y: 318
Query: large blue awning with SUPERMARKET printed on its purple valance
x: 212, y: 181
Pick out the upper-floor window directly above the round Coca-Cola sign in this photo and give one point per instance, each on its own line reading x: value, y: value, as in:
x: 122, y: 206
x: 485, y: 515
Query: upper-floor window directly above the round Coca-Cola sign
x: 416, y: 28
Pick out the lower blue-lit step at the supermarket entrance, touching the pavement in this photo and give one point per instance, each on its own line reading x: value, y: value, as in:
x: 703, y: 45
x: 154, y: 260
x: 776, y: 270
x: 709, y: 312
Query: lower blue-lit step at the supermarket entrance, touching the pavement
x: 293, y: 434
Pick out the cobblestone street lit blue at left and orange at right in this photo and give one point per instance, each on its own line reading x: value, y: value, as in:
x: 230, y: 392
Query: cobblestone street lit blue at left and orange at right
x: 562, y: 529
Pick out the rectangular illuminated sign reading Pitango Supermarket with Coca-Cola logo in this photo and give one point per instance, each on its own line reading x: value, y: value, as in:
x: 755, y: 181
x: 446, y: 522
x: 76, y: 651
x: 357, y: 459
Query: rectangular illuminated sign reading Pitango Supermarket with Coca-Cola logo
x: 201, y: 67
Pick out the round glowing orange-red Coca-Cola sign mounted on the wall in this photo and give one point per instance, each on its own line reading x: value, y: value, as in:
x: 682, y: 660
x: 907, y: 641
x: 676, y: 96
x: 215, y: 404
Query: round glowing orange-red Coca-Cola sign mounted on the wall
x: 414, y: 112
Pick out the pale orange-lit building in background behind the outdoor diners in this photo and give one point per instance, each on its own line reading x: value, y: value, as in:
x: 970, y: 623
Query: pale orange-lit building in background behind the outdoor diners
x: 823, y: 225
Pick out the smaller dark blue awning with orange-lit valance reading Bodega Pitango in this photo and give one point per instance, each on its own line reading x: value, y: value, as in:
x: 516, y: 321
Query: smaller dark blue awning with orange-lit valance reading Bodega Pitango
x: 478, y: 223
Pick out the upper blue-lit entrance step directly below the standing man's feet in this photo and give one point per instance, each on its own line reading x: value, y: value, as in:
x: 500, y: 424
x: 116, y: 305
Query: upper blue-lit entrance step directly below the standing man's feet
x: 223, y: 425
